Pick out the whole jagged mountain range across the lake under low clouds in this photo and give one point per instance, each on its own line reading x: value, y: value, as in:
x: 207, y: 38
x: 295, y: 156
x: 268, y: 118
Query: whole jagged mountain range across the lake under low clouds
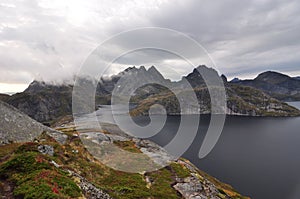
x: 258, y: 97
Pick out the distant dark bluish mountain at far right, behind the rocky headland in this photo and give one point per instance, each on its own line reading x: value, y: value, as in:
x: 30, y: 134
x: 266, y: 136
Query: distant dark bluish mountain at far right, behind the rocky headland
x: 277, y: 85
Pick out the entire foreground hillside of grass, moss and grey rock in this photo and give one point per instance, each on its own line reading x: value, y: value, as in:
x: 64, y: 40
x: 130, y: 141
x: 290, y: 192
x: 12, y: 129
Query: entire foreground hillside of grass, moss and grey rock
x: 40, y: 167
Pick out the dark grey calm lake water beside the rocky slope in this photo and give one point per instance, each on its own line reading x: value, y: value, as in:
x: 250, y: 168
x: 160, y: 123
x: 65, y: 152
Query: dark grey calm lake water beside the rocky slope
x: 259, y: 157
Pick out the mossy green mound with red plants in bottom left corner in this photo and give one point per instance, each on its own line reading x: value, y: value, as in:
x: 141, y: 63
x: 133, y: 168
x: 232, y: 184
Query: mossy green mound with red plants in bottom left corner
x: 34, y: 177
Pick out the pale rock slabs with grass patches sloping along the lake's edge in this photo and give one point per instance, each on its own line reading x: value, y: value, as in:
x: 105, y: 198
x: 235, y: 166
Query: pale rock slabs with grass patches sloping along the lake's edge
x: 181, y: 177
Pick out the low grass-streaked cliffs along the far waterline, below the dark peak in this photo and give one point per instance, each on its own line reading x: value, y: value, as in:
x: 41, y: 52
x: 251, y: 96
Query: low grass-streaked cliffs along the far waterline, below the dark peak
x: 241, y: 100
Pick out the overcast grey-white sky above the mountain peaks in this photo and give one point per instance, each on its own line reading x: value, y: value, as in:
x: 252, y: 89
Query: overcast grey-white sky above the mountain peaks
x: 50, y: 39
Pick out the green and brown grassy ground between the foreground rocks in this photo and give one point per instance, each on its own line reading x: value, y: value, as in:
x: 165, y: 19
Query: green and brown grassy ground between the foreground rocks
x: 26, y: 173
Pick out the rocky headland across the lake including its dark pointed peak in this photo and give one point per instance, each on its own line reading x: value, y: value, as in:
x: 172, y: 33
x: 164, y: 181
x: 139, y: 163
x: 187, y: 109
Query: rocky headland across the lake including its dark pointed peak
x: 241, y: 100
